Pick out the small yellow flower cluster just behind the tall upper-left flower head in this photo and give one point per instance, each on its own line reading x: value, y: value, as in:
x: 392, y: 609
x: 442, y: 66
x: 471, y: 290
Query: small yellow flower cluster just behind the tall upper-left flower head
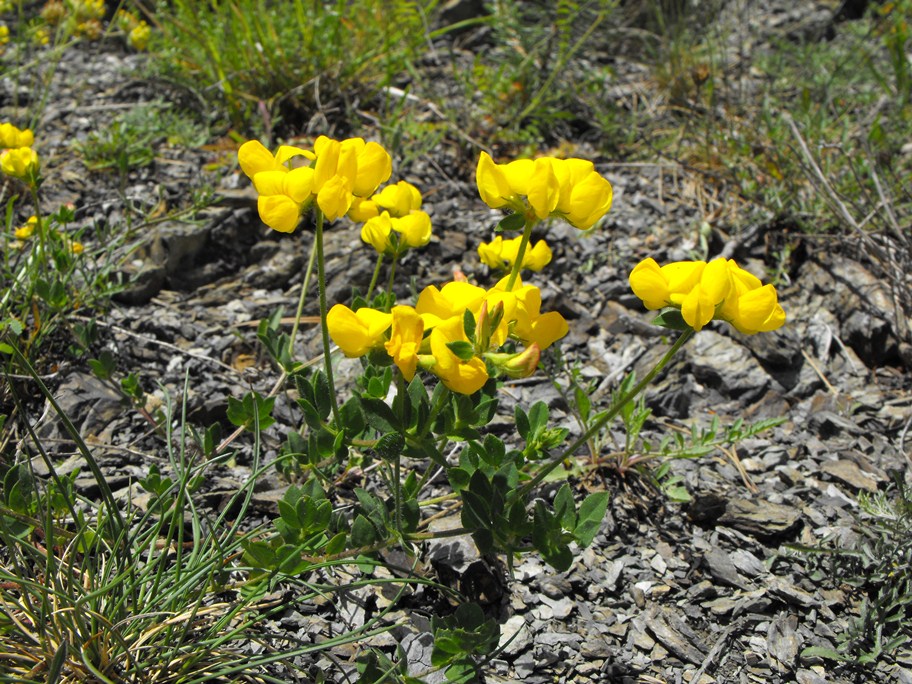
x: 393, y: 219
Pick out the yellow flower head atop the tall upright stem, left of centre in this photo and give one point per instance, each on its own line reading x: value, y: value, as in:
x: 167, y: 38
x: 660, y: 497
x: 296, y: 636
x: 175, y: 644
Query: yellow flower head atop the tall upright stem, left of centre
x: 338, y: 174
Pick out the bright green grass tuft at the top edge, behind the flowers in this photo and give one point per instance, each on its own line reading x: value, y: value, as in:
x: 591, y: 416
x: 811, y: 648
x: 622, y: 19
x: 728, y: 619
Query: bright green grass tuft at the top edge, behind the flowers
x: 286, y: 57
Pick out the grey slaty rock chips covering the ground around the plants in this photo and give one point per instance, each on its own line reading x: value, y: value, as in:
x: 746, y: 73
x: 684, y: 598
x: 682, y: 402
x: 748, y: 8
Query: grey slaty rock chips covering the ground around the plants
x: 699, y: 592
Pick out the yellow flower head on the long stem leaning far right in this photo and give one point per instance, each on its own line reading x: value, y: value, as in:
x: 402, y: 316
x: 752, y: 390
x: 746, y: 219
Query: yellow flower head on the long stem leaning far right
x: 704, y: 291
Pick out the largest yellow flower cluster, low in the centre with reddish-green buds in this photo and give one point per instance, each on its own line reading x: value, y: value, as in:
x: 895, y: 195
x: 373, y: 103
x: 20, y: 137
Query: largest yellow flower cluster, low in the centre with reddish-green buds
x: 432, y: 334
